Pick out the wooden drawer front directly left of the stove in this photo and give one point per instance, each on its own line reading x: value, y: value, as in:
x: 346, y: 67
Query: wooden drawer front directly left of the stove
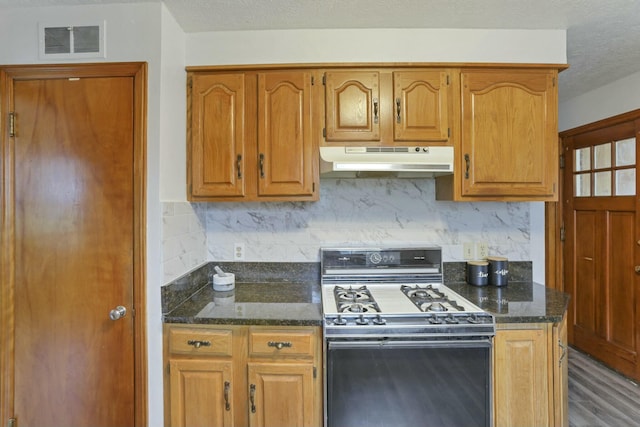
x: 274, y: 342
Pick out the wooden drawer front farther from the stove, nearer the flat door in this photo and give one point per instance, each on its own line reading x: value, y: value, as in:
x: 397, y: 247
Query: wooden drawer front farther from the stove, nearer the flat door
x: 200, y: 341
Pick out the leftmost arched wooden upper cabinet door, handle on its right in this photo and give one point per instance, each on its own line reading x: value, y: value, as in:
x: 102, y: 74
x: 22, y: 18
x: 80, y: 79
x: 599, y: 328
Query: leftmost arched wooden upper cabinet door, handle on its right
x: 217, y: 137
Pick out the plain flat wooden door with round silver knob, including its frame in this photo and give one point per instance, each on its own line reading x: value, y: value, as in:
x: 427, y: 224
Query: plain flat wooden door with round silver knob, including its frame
x: 72, y: 200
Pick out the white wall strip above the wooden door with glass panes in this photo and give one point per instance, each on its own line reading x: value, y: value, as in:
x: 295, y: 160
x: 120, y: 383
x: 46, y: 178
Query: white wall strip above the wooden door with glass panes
x: 612, y: 99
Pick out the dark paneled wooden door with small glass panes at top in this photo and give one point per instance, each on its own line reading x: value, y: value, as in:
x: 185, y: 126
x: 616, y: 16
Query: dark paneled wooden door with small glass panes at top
x: 602, y: 244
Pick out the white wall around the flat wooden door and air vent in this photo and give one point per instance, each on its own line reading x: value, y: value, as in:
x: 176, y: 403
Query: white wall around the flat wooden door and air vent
x: 133, y: 34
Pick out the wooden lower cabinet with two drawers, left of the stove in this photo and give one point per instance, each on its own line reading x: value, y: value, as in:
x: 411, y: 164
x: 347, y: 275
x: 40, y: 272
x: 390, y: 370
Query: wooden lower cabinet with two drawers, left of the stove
x: 254, y: 376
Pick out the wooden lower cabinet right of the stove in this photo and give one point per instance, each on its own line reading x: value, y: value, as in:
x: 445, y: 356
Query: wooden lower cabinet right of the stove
x: 530, y: 375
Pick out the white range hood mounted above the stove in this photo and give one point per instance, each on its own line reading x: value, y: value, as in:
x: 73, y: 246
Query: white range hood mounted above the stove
x: 380, y: 162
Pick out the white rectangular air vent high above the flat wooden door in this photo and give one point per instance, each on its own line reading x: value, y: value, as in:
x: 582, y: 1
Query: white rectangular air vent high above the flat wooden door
x: 72, y: 41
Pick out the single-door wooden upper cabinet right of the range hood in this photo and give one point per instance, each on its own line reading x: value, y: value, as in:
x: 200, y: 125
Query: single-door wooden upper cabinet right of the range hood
x: 508, y: 143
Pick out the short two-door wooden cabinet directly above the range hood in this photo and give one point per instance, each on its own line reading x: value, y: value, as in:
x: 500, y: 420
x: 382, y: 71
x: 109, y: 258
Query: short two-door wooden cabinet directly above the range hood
x: 387, y: 107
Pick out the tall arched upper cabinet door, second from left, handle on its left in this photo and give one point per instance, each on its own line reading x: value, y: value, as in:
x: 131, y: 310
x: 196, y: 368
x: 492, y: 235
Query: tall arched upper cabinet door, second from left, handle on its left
x: 286, y: 154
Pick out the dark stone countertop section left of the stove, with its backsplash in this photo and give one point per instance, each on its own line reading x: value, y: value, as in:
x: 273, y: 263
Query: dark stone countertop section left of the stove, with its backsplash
x: 285, y: 294
